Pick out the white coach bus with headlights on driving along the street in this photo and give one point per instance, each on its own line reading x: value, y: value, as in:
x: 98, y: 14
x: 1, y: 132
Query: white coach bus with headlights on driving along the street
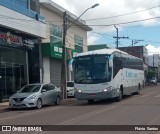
x: 107, y: 73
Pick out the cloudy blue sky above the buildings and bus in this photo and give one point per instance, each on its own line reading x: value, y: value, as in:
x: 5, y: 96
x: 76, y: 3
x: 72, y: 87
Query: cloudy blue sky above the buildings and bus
x: 135, y: 19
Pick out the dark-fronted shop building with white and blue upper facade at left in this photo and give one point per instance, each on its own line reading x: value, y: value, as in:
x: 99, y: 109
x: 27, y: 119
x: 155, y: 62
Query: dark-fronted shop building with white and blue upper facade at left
x: 21, y: 26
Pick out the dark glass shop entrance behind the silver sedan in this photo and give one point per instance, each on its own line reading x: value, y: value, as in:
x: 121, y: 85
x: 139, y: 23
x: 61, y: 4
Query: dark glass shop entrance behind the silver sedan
x: 12, y: 71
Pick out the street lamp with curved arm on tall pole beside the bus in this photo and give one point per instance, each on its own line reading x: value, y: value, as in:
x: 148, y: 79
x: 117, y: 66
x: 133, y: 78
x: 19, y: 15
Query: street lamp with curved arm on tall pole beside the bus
x: 63, y: 67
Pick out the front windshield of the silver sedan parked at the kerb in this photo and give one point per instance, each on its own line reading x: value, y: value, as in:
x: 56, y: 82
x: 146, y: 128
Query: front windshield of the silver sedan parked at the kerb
x: 30, y: 88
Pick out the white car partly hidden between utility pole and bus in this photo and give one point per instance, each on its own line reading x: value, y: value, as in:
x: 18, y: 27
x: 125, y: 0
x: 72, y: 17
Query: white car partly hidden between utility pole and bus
x: 70, y: 89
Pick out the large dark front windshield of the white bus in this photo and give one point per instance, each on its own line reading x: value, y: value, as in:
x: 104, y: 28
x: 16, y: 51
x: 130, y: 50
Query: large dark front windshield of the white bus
x: 92, y: 69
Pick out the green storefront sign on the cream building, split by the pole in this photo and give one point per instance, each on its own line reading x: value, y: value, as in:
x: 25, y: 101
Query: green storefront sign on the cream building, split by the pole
x: 55, y: 51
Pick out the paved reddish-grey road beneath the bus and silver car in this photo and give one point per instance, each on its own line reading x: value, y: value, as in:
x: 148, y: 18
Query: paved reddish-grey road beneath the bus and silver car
x: 141, y: 109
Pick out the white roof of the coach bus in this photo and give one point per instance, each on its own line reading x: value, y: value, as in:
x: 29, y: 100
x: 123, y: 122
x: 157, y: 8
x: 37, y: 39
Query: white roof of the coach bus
x: 101, y: 51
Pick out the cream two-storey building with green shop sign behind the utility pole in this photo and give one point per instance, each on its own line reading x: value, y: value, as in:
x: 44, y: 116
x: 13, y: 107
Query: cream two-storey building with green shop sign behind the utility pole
x: 76, y: 40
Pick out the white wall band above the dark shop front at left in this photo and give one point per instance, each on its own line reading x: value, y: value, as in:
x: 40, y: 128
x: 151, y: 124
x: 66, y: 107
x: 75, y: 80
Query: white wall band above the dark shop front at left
x: 20, y: 22
